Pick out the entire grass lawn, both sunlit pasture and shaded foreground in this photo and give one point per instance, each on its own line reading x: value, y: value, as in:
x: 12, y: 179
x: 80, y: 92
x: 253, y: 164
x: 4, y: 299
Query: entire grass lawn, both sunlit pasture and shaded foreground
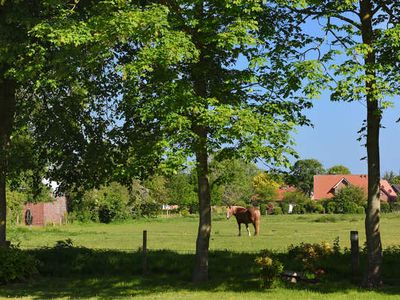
x: 113, y: 270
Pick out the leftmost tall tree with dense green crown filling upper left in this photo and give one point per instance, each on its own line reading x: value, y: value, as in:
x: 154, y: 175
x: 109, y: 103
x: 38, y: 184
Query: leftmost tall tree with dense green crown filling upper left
x: 59, y: 79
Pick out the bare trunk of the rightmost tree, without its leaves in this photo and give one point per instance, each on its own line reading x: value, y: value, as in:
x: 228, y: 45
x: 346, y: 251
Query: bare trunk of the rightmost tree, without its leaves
x: 372, y: 278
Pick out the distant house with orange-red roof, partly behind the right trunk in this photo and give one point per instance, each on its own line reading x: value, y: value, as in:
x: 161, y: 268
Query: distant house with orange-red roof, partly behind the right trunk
x: 325, y: 186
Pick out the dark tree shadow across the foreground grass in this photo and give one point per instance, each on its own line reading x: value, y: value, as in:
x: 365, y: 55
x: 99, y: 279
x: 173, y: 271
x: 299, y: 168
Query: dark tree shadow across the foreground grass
x: 84, y: 273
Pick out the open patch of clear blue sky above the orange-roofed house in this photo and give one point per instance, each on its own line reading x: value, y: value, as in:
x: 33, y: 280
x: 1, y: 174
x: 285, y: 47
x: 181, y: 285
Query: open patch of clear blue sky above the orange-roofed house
x: 333, y: 140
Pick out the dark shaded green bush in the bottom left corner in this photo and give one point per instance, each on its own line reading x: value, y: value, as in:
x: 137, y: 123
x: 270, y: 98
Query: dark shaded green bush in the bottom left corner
x: 16, y: 265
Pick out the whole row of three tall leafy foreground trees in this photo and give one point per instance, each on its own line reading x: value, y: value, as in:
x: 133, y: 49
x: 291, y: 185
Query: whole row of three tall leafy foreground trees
x: 111, y: 90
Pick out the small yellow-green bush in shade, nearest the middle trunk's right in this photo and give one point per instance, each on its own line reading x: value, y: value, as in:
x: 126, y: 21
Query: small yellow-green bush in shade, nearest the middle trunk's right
x: 270, y: 269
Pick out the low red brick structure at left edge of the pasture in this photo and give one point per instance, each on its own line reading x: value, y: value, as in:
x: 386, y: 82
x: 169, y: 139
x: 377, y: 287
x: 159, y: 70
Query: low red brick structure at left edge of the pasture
x: 47, y: 212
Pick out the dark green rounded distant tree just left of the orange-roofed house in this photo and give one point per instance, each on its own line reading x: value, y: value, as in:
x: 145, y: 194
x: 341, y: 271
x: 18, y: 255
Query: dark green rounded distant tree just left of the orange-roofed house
x: 302, y: 174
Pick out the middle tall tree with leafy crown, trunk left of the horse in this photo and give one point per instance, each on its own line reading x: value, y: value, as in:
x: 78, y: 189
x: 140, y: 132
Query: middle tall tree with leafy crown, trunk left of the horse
x: 228, y: 101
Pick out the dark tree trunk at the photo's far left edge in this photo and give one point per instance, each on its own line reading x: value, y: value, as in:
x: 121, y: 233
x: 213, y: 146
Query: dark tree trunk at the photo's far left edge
x: 7, y: 110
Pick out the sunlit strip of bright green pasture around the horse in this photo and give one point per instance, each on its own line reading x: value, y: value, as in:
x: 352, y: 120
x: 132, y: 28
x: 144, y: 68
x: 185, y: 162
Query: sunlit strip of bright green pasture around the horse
x: 179, y: 233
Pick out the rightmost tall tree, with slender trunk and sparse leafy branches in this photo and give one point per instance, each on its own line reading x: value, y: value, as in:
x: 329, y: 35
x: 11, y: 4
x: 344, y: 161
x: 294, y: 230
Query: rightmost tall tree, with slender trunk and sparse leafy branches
x: 359, y: 49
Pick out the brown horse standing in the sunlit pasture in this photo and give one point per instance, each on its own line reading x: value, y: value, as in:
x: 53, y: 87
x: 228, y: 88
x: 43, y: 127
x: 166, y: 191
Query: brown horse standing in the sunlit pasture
x: 246, y: 216
